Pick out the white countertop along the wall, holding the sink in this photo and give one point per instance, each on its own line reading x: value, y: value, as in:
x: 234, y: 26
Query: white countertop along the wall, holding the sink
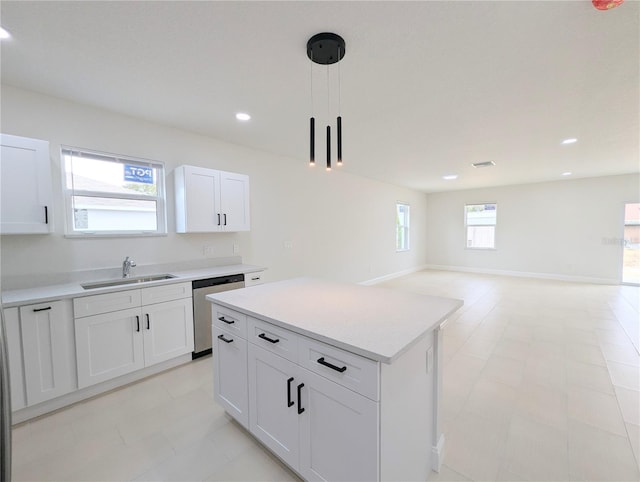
x: 42, y: 294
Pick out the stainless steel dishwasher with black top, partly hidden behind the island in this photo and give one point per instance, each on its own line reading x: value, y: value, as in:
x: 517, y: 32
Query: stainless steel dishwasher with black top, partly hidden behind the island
x: 202, y: 308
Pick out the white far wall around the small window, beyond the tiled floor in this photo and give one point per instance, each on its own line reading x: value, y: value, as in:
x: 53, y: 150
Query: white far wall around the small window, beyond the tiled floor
x: 569, y: 229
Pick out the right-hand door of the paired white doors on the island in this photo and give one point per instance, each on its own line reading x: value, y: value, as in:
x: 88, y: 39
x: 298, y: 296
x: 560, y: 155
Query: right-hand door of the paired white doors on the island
x: 338, y: 432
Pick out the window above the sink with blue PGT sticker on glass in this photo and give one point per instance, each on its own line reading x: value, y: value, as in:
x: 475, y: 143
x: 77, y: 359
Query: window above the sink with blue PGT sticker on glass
x: 112, y: 195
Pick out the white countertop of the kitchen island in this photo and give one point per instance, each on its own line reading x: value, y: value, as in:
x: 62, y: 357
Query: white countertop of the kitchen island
x: 377, y: 323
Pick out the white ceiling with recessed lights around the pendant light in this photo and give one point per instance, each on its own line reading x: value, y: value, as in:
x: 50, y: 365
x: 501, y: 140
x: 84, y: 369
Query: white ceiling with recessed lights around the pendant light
x: 427, y: 88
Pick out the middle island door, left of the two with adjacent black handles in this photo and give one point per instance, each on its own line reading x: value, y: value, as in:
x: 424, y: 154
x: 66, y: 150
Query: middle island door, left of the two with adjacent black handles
x: 273, y: 403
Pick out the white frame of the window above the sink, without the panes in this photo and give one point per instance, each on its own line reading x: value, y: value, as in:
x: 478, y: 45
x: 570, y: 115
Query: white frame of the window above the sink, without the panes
x: 70, y: 192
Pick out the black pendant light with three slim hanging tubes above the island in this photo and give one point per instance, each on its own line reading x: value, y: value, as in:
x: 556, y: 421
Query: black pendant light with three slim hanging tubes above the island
x: 326, y: 49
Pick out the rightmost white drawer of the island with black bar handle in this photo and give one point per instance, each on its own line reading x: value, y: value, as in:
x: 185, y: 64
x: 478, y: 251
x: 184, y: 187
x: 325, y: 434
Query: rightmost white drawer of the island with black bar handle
x: 349, y: 370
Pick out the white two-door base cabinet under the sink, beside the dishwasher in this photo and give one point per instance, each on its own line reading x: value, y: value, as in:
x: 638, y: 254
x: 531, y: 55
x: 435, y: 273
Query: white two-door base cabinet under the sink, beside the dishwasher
x: 113, y: 343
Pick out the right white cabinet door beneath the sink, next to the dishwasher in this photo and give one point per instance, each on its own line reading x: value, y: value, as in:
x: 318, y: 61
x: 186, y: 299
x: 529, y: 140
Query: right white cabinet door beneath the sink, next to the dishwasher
x: 168, y: 330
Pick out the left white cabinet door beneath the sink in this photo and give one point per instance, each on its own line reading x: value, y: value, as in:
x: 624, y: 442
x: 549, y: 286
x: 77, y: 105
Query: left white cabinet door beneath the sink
x: 108, y: 345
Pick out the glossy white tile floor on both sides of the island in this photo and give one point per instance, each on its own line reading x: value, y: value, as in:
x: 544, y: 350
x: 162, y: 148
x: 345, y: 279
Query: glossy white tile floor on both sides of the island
x: 541, y: 382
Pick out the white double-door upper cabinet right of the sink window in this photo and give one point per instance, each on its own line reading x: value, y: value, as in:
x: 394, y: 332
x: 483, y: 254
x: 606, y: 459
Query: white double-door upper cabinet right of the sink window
x: 209, y: 201
